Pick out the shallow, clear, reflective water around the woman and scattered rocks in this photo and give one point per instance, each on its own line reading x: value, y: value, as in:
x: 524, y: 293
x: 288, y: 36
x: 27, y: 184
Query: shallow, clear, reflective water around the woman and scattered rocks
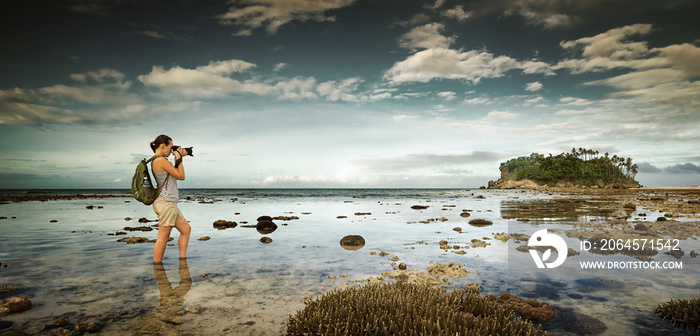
x: 75, y: 269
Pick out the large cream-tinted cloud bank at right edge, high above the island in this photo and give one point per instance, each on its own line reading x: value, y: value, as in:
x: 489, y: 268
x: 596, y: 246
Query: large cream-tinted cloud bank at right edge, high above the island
x: 660, y: 76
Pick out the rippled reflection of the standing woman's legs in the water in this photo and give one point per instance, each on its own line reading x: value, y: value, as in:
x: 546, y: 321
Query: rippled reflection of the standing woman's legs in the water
x: 167, y: 318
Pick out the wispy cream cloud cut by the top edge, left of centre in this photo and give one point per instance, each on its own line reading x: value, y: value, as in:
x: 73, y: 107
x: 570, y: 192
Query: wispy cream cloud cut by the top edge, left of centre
x: 272, y: 14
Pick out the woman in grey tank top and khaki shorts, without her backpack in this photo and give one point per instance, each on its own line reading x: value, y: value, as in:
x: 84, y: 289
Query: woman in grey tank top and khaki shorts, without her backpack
x: 165, y: 206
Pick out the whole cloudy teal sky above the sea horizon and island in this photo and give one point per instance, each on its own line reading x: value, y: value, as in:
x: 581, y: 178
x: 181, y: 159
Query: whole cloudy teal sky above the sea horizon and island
x: 344, y: 93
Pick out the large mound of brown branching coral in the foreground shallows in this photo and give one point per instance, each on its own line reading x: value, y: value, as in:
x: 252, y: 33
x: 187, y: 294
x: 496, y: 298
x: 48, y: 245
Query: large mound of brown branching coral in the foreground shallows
x: 406, y: 309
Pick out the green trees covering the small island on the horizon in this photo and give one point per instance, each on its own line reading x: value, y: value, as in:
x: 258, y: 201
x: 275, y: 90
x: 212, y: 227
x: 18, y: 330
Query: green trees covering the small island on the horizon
x: 581, y: 167
